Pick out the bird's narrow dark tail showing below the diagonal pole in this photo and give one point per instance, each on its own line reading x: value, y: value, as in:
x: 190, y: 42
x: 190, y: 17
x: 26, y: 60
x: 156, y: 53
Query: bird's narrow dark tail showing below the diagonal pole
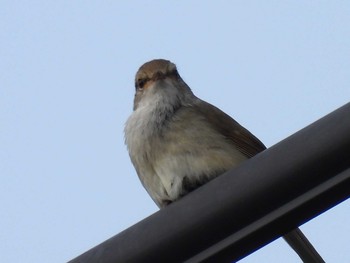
x: 302, y: 246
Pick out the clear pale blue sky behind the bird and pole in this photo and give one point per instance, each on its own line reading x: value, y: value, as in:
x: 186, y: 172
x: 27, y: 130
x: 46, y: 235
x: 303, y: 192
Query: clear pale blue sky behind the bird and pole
x: 67, y: 85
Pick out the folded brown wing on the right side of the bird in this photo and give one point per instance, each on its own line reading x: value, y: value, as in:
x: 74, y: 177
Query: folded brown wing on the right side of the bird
x: 243, y: 140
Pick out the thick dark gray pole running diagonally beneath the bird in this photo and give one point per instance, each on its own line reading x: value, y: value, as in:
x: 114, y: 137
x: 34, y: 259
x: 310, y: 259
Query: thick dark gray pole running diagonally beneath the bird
x: 247, y: 207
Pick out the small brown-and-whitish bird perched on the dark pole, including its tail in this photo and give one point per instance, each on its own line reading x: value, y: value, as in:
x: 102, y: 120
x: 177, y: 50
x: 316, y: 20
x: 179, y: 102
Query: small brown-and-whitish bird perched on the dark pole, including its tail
x: 178, y: 142
